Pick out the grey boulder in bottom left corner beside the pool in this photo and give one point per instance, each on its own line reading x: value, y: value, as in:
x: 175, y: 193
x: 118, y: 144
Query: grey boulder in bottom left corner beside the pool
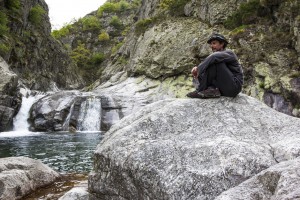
x: 20, y: 176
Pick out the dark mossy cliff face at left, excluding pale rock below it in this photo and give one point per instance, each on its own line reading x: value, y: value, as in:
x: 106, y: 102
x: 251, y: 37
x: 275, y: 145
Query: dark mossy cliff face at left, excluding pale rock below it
x: 27, y: 46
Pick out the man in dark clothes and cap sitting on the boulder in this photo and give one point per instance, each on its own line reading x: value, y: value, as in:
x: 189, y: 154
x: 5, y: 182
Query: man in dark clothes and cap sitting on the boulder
x: 219, y: 74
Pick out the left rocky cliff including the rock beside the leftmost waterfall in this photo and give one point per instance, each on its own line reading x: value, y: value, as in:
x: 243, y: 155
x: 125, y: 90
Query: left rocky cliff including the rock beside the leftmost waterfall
x: 29, y: 55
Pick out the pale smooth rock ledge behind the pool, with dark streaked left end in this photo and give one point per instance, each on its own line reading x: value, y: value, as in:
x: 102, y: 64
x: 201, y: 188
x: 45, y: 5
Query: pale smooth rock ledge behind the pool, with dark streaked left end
x: 118, y: 97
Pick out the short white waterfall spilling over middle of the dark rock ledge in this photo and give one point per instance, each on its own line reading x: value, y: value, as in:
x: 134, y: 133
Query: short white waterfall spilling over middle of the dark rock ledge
x: 90, y: 114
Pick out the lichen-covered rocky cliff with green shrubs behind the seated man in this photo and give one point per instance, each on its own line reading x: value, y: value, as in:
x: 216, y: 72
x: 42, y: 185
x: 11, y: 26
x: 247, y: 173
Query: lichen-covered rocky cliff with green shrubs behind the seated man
x: 165, y: 39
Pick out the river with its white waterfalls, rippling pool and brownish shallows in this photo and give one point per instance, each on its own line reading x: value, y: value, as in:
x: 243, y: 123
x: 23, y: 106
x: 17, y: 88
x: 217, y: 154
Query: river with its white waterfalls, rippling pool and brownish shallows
x: 68, y: 153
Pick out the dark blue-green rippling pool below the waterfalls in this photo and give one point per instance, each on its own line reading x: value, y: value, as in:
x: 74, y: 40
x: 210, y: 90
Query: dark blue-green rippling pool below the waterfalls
x: 64, y: 152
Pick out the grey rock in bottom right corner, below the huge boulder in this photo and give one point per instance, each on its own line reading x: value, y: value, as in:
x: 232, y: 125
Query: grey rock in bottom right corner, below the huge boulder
x: 280, y: 181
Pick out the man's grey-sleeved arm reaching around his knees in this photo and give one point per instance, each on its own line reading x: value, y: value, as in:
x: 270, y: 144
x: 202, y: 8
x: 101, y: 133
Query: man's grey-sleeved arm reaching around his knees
x: 226, y: 56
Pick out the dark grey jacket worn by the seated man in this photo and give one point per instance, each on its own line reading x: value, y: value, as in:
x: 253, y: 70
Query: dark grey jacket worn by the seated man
x: 229, y: 58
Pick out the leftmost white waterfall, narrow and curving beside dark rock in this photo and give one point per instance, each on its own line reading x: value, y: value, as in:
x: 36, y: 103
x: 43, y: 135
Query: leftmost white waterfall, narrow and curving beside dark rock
x: 20, y: 121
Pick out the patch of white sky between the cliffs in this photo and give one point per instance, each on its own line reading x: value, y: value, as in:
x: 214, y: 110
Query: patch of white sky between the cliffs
x: 62, y: 12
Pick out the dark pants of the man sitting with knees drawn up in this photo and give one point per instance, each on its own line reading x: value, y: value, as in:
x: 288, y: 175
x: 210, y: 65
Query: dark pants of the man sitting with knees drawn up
x: 219, y: 76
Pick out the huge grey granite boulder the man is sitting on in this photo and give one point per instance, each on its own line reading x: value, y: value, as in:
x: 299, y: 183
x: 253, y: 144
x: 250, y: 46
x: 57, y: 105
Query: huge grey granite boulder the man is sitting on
x: 191, y: 148
